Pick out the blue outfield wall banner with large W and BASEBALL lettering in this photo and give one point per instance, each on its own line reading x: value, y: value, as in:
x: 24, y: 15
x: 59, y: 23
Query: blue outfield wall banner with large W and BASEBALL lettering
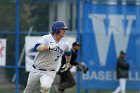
x: 108, y: 29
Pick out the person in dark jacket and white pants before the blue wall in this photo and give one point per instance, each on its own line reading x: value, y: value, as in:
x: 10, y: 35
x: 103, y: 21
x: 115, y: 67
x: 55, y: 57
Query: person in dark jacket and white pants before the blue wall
x: 122, y: 69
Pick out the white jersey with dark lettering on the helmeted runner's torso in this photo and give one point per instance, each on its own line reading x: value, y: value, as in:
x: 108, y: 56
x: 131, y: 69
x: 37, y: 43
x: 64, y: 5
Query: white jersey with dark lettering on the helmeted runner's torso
x: 49, y: 59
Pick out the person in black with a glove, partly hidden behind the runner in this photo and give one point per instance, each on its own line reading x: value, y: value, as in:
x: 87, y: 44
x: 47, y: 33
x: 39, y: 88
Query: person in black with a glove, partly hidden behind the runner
x: 64, y: 78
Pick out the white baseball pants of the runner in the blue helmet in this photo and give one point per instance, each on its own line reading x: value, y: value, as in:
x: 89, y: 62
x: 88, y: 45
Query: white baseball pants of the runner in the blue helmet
x: 42, y: 78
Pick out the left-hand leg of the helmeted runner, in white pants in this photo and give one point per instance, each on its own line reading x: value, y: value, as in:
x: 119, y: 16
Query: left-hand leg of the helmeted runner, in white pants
x: 33, y: 81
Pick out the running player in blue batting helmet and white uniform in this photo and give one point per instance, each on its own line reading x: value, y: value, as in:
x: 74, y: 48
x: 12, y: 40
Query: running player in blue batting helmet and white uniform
x: 50, y: 49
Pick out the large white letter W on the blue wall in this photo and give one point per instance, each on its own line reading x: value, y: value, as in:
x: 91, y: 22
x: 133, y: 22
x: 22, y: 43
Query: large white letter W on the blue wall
x: 116, y: 27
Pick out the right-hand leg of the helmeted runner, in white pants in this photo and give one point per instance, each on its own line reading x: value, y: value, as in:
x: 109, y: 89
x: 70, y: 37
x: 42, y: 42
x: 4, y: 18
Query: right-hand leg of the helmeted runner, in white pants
x: 46, y: 81
